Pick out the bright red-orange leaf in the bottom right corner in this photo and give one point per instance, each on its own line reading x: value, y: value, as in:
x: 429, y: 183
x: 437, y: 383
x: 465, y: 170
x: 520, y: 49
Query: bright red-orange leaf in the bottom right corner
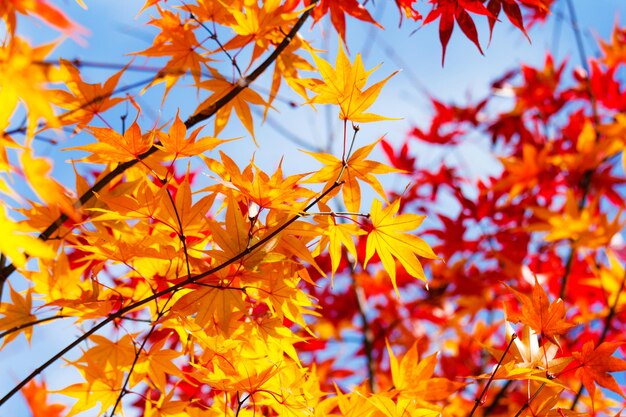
x: 595, y: 365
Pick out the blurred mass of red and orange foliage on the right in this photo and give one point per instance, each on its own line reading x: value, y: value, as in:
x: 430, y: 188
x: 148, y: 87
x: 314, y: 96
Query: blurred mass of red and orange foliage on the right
x: 541, y: 238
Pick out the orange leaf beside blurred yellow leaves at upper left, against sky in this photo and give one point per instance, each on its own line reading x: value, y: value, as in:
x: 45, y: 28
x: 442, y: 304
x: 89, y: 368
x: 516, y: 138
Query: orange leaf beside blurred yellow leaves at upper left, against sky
x: 84, y: 101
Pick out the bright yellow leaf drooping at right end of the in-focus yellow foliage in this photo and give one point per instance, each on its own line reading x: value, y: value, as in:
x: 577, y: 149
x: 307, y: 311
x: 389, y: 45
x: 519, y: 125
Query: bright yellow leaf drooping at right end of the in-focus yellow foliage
x: 387, y: 239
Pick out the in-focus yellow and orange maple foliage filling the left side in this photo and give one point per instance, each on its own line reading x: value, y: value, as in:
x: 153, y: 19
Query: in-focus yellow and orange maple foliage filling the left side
x: 218, y: 273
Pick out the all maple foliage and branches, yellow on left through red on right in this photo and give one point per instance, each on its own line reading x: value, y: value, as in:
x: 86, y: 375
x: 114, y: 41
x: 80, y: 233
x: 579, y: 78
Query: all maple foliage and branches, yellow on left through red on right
x: 234, y: 294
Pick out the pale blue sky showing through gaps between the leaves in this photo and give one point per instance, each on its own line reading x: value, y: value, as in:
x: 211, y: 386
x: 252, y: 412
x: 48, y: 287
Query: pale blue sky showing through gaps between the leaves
x: 115, y: 31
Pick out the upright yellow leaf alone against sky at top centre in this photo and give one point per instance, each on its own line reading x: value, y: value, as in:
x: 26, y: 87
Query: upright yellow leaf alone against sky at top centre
x: 343, y: 86
